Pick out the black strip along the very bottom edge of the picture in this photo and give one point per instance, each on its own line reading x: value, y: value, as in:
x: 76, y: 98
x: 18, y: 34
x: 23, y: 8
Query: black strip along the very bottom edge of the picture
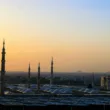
x: 55, y: 107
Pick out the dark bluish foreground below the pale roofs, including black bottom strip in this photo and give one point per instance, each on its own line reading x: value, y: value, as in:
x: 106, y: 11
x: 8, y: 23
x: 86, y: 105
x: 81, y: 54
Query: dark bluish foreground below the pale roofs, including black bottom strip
x: 50, y: 102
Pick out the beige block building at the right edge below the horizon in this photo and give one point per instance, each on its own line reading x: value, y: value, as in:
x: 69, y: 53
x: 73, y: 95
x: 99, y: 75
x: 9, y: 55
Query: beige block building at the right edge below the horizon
x: 105, y: 82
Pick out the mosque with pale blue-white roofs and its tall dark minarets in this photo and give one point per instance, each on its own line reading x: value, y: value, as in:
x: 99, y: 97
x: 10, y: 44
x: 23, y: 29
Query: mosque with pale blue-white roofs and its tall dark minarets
x: 46, y: 88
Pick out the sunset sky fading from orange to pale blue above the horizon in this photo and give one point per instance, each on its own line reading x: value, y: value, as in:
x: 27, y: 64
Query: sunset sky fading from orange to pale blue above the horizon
x: 75, y: 32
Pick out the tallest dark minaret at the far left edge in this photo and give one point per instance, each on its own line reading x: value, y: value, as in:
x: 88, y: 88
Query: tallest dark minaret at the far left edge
x: 3, y: 69
